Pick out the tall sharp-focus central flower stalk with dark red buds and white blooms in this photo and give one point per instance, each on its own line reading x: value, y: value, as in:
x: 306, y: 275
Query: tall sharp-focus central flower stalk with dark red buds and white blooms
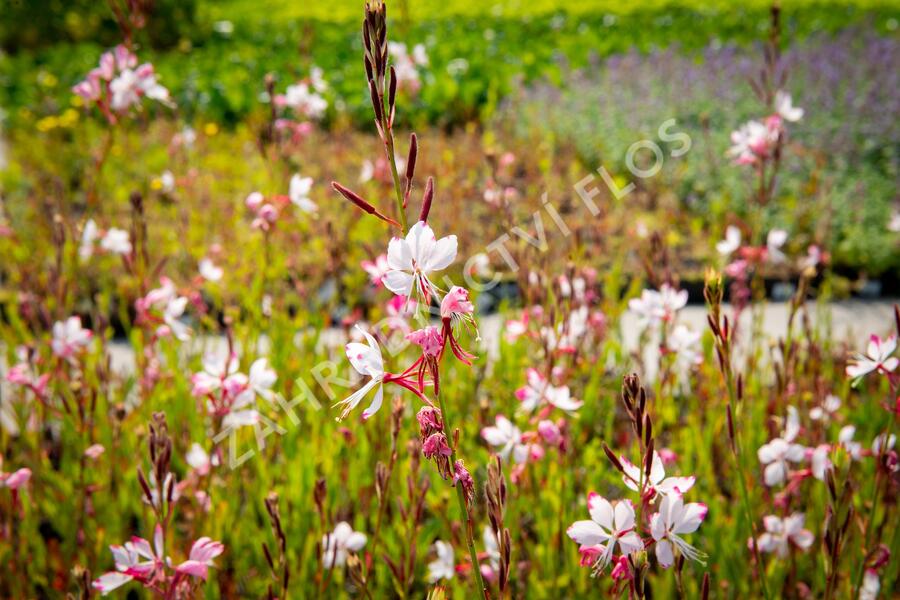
x: 411, y: 259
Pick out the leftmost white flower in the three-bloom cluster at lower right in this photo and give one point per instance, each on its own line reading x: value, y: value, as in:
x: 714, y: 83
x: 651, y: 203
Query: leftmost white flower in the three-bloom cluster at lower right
x: 608, y: 527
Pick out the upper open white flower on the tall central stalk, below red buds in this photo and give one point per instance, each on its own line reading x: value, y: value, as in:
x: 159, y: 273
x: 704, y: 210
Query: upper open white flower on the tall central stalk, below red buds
x: 412, y: 259
